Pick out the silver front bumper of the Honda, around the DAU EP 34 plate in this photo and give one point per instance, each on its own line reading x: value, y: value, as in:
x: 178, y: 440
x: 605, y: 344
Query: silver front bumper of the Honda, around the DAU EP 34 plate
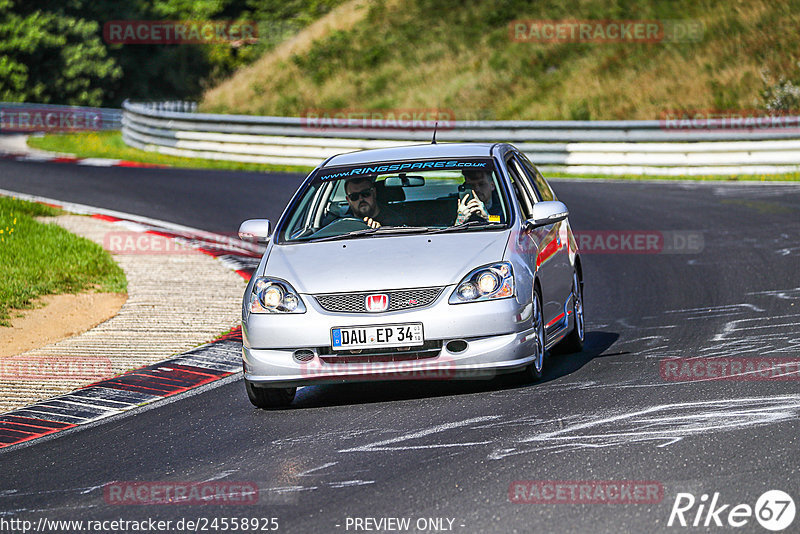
x: 498, y: 334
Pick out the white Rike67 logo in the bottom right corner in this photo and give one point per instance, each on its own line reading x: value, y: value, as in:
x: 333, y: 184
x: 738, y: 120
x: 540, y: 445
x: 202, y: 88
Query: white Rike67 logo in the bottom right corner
x: 774, y: 510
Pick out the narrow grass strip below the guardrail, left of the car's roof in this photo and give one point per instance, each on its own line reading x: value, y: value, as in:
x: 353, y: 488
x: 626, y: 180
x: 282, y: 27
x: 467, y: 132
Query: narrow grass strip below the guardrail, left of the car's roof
x: 110, y: 145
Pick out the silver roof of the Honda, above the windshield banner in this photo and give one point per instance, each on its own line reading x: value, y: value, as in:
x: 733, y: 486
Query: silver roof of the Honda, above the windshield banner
x: 427, y: 151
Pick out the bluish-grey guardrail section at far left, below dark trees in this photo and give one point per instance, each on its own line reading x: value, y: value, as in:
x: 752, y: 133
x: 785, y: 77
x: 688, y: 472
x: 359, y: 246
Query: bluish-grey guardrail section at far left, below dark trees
x: 31, y: 118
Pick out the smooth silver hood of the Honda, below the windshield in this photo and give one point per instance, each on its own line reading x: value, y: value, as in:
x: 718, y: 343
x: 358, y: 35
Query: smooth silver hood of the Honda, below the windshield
x: 380, y: 263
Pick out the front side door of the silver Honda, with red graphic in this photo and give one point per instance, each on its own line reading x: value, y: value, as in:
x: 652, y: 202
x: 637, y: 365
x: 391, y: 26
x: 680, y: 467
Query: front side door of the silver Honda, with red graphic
x: 540, y: 245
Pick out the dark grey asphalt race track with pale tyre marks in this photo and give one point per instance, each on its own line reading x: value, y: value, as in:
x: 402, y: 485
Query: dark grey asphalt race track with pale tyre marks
x: 452, y: 449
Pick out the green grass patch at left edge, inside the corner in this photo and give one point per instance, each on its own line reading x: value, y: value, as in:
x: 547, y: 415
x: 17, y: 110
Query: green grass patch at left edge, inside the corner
x: 39, y: 259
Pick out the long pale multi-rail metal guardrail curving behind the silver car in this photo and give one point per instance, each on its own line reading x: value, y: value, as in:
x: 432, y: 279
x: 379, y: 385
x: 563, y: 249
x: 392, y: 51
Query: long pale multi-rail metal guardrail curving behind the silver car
x: 604, y: 147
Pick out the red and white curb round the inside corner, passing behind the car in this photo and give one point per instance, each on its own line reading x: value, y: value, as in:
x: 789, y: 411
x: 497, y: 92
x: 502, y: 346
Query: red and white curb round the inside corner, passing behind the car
x: 193, y: 369
